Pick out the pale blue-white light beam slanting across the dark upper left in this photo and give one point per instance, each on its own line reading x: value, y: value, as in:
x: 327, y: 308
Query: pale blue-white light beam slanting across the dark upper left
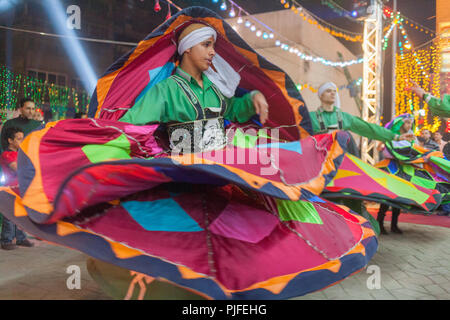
x: 73, y: 47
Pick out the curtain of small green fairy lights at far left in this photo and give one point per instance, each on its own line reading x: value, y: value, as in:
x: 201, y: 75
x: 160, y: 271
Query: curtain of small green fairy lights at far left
x: 59, y: 98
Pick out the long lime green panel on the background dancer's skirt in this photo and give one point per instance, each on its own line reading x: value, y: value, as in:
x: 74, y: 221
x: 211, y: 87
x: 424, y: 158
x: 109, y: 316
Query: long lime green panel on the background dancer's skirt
x: 394, y: 184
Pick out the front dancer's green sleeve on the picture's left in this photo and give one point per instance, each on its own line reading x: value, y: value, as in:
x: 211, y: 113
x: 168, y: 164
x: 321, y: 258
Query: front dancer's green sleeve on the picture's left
x: 152, y: 107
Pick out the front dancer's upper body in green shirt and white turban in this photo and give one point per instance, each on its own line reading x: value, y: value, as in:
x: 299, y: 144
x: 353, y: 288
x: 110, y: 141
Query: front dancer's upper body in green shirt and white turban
x: 195, y: 94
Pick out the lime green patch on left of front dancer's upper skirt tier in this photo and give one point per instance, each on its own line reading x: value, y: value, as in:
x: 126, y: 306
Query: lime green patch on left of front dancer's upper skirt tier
x: 115, y: 149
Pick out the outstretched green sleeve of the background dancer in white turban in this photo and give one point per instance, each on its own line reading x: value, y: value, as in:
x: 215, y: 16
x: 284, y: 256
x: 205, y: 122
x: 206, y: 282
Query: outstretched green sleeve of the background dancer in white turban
x: 366, y: 129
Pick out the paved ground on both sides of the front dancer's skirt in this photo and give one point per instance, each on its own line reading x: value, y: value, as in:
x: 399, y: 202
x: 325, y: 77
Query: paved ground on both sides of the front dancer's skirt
x: 415, y: 265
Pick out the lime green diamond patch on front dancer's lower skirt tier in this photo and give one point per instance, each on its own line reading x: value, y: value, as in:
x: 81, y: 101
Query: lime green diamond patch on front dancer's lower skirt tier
x: 298, y: 211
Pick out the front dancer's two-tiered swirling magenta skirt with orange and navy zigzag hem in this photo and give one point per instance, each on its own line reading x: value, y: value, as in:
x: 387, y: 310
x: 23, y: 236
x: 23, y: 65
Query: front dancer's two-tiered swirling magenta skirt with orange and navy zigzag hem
x: 243, y: 222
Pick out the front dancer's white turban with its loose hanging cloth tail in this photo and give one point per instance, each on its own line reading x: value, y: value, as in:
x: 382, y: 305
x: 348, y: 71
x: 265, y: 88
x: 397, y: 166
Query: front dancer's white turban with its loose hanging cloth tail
x: 225, y: 79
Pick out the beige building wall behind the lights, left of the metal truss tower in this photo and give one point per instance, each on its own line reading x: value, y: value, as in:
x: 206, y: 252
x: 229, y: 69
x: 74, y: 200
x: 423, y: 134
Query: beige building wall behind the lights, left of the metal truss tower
x: 311, y: 41
